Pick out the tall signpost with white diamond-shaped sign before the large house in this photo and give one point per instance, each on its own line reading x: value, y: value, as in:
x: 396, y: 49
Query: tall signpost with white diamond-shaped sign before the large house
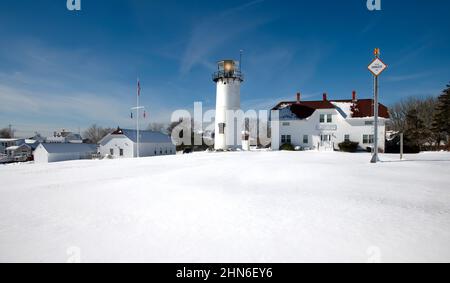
x: 376, y: 68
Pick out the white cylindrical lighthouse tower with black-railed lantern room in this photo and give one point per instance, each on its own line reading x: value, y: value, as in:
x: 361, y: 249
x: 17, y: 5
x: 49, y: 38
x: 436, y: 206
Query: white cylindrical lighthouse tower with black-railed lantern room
x: 228, y: 79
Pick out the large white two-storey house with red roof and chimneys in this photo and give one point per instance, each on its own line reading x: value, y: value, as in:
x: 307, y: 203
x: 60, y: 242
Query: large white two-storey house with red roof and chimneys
x: 326, y: 123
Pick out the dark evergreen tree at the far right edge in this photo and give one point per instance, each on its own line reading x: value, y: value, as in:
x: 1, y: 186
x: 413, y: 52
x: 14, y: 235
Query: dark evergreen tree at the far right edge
x: 441, y: 121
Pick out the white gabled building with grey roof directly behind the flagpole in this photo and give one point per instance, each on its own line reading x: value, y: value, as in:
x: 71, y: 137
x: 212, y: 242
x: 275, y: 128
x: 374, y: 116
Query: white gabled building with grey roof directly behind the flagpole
x: 123, y: 144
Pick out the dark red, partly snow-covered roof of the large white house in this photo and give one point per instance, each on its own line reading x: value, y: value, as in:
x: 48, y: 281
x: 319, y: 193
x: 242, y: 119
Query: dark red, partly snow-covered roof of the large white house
x: 304, y: 109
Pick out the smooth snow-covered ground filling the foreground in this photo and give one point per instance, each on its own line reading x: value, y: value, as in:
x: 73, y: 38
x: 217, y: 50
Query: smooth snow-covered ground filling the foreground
x: 228, y: 207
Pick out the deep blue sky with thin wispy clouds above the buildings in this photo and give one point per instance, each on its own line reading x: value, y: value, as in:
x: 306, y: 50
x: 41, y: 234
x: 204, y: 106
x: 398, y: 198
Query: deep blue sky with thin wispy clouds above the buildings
x: 62, y: 69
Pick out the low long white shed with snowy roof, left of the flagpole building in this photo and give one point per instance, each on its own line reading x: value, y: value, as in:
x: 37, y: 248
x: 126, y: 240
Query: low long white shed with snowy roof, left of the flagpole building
x: 56, y: 152
